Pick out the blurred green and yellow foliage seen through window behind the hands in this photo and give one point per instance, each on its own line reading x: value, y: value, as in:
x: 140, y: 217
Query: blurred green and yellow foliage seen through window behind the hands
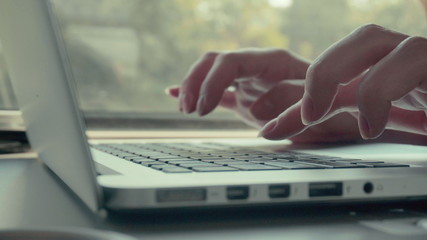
x: 125, y: 53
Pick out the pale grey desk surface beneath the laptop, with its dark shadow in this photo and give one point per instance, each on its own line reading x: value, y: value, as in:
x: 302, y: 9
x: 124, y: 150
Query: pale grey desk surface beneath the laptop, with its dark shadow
x: 31, y: 197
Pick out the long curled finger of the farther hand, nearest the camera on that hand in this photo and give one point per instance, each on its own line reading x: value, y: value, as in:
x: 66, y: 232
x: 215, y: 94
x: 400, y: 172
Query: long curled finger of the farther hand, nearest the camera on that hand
x: 270, y: 66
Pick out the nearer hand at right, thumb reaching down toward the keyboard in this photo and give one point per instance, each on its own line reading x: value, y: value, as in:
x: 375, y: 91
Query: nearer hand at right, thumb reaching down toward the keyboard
x: 378, y: 75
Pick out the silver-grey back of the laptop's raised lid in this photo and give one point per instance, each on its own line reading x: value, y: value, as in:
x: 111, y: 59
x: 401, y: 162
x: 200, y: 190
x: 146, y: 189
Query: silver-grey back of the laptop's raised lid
x: 41, y: 80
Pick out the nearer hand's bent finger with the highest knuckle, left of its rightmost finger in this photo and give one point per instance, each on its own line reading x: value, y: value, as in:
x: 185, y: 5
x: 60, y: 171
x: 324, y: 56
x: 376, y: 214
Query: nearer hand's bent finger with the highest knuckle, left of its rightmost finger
x: 341, y: 63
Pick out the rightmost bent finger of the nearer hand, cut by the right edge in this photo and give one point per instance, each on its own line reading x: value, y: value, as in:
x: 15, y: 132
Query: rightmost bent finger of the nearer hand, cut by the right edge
x: 396, y: 75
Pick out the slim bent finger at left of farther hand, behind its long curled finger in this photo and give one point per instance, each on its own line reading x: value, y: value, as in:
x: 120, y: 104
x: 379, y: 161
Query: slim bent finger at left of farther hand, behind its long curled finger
x: 191, y: 85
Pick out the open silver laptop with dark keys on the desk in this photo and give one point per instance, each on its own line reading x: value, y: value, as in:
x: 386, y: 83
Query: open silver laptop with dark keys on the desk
x: 145, y: 174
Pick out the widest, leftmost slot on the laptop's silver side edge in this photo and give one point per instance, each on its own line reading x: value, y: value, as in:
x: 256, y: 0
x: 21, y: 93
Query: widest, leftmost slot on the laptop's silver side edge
x: 181, y: 195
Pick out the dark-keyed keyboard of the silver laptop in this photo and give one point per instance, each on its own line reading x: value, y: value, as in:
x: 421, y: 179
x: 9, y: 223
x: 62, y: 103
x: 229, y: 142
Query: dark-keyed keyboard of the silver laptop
x: 213, y: 157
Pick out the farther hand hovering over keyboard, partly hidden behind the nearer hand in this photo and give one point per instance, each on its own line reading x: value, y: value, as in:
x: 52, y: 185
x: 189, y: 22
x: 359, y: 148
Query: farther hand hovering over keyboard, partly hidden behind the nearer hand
x: 264, y: 86
